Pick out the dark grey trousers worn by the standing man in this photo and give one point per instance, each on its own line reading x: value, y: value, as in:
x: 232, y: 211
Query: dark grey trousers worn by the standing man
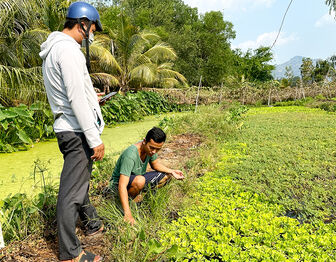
x: 73, y: 199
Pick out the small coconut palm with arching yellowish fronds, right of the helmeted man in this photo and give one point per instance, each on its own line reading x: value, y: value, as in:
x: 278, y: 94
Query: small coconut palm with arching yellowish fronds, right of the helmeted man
x: 130, y: 58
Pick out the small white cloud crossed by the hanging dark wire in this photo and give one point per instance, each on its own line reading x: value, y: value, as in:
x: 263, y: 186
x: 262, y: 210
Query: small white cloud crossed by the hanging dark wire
x: 266, y: 39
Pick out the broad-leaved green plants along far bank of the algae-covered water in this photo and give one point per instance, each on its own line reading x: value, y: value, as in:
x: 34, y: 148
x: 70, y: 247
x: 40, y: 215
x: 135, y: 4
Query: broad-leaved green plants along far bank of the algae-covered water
x: 21, y: 126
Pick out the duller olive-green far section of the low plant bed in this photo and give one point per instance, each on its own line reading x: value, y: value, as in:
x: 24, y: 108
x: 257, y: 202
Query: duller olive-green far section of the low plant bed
x: 288, y: 154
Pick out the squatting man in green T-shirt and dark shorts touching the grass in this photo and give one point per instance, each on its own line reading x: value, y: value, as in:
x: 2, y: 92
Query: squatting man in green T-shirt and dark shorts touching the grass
x: 129, y: 177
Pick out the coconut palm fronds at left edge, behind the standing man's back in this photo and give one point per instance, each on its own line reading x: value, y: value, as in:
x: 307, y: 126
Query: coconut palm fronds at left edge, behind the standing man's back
x: 25, y: 25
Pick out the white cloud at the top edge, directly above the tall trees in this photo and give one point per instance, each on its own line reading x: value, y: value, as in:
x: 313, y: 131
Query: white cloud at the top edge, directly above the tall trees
x: 208, y: 5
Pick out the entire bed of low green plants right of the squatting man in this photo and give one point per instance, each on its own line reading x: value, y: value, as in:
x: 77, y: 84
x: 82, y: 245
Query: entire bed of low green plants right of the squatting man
x: 279, y: 166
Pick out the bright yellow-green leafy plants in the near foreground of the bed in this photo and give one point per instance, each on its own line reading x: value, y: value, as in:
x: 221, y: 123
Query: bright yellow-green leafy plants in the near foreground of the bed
x: 229, y: 223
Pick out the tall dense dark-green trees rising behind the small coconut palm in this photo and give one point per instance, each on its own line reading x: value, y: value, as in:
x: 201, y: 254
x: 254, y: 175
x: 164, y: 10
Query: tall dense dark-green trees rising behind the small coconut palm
x: 202, y: 43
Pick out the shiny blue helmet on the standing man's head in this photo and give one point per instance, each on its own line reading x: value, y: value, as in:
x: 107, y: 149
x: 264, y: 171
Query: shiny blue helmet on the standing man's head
x: 79, y: 10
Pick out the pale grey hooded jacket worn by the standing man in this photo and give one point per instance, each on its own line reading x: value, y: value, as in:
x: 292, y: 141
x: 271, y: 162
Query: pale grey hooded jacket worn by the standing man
x: 70, y: 92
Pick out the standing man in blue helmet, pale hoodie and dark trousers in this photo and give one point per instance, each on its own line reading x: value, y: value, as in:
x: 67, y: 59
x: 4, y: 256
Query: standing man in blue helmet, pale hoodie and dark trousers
x: 78, y: 125
